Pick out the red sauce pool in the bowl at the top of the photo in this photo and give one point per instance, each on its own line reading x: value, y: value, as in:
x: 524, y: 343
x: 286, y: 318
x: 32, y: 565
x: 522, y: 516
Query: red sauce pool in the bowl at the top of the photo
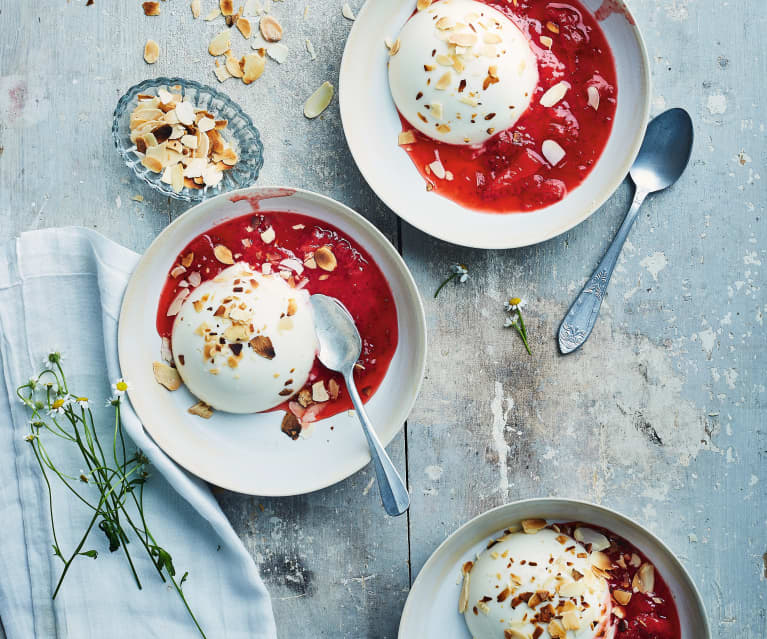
x: 508, y: 172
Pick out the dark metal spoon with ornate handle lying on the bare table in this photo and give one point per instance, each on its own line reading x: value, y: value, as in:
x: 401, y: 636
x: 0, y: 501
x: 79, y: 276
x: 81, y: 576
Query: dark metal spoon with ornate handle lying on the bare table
x: 661, y: 161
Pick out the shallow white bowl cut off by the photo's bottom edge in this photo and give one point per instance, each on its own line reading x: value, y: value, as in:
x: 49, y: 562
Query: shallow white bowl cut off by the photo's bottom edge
x: 431, y: 610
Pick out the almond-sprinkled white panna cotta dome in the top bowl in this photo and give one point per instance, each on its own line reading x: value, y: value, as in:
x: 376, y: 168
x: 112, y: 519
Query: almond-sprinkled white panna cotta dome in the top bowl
x: 463, y: 71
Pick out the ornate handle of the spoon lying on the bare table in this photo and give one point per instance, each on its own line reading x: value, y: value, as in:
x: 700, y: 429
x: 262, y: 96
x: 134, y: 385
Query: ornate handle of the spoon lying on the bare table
x: 580, y: 319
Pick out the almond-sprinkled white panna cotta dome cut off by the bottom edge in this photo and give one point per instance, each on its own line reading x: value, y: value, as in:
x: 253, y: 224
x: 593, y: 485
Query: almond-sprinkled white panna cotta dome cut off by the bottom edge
x: 544, y: 585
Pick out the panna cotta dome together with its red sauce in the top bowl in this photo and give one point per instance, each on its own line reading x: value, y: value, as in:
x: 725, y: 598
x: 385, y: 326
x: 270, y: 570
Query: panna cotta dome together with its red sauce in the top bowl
x: 485, y: 129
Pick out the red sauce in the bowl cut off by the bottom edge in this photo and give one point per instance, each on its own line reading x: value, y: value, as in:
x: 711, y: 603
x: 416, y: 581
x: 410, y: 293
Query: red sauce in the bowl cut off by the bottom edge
x: 649, y: 615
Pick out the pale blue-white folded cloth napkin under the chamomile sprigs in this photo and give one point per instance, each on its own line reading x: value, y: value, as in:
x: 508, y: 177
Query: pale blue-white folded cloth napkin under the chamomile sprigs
x: 61, y: 289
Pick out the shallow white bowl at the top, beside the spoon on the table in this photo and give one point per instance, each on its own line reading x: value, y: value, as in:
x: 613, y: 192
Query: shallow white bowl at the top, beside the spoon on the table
x: 371, y: 125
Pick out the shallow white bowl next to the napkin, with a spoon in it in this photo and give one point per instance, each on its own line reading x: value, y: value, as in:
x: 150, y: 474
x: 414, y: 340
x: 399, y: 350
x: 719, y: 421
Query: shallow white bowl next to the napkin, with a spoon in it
x: 249, y: 453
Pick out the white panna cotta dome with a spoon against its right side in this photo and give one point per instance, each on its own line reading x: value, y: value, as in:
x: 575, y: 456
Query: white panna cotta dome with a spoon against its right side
x: 244, y: 342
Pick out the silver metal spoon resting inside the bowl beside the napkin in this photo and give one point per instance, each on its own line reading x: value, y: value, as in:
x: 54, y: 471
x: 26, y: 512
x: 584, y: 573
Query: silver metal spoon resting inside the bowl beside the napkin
x: 340, y: 347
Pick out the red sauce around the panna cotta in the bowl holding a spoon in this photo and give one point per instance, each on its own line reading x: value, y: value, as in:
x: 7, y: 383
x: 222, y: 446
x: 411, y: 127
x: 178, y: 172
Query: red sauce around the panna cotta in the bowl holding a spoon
x: 357, y: 282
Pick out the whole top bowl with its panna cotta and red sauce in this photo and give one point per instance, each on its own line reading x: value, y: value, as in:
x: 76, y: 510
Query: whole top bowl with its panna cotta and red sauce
x: 494, y: 124
